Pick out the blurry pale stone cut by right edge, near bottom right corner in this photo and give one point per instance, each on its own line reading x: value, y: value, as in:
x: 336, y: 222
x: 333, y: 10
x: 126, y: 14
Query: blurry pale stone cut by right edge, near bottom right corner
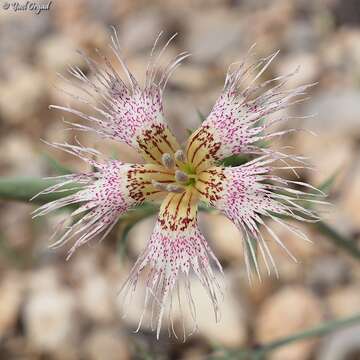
x: 344, y: 301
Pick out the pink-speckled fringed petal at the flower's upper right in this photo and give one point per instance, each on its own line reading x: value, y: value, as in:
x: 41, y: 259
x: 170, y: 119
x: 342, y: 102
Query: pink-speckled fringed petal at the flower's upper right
x: 233, y: 126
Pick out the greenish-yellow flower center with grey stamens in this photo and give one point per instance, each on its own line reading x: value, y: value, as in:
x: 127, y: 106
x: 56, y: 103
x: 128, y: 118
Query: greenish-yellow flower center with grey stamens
x: 184, y: 173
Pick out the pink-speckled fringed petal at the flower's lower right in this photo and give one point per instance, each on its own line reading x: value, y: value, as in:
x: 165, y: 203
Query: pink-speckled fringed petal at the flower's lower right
x: 248, y: 193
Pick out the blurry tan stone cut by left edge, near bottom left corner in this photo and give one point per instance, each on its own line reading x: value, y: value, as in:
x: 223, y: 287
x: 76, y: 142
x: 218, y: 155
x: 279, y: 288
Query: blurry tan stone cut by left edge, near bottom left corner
x: 10, y: 301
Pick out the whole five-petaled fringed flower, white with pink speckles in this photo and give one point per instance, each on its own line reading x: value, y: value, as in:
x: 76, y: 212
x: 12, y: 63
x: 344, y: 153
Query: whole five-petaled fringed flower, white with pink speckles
x: 181, y: 177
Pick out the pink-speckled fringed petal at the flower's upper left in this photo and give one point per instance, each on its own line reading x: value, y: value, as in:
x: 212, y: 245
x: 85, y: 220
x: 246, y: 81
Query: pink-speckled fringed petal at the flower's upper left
x: 126, y: 111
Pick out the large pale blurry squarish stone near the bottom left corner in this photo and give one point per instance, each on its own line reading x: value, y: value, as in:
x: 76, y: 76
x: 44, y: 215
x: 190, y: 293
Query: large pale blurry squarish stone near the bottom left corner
x: 50, y: 320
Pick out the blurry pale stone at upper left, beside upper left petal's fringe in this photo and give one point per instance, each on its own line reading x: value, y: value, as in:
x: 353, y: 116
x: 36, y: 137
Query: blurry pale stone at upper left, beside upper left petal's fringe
x: 57, y: 52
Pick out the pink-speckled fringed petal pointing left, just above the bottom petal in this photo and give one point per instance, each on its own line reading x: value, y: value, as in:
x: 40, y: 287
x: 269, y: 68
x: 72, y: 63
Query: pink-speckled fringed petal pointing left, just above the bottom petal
x: 102, y: 194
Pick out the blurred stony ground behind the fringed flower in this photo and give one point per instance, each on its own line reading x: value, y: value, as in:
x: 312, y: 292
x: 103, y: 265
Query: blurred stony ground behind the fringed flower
x: 52, y: 309
